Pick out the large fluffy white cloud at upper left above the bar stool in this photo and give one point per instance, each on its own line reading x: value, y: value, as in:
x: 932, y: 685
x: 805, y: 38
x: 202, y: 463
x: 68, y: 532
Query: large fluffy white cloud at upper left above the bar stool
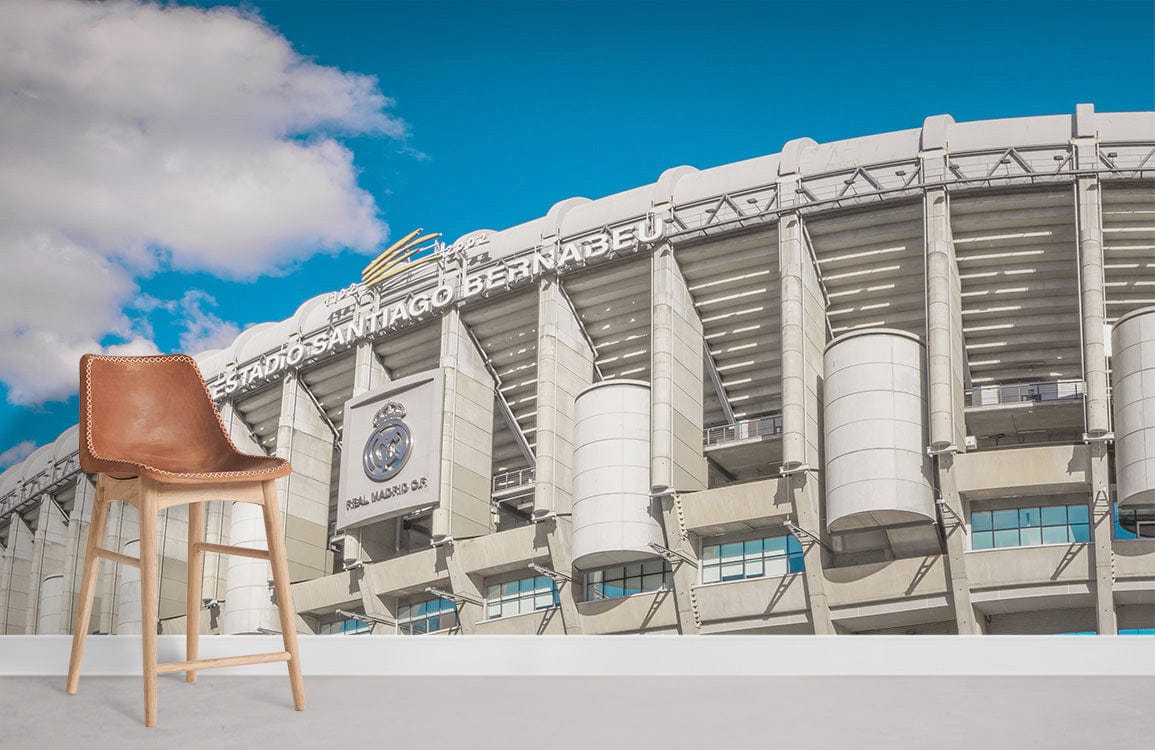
x: 135, y: 136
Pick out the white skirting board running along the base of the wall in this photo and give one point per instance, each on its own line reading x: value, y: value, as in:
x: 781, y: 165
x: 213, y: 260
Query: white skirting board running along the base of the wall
x: 616, y: 656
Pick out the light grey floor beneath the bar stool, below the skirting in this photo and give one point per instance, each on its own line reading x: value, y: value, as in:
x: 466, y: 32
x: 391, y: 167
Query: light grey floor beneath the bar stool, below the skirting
x: 598, y: 714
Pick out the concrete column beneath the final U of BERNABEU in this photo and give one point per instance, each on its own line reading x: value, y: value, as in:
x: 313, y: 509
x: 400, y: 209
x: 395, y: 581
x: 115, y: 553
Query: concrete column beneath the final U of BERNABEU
x: 676, y: 382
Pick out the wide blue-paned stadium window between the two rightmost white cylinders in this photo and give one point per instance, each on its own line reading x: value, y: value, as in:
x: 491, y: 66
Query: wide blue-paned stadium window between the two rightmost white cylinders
x: 1031, y: 526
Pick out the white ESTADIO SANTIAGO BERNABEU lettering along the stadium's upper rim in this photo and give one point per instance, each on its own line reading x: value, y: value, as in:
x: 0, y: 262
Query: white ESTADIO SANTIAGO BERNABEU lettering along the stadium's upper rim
x: 392, y: 316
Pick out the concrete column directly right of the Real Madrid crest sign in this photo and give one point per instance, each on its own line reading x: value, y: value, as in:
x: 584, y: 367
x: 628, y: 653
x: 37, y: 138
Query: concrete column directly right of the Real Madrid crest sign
x: 467, y: 436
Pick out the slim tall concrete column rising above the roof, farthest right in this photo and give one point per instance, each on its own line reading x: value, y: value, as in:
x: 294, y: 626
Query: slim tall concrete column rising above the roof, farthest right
x: 1090, y: 209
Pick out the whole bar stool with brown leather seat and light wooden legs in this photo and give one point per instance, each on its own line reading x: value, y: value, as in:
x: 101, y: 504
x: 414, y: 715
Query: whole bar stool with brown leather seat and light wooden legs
x: 151, y: 433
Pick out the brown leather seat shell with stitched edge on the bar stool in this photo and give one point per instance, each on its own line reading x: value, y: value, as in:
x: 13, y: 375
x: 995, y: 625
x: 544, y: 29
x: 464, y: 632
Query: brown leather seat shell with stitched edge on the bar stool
x: 153, y: 417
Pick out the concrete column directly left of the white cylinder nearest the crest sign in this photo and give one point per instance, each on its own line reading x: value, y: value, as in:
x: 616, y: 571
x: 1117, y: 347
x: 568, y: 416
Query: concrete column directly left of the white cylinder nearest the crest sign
x: 565, y: 366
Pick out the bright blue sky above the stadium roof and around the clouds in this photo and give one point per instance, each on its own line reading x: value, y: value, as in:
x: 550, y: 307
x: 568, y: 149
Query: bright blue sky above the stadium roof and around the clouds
x: 511, y: 108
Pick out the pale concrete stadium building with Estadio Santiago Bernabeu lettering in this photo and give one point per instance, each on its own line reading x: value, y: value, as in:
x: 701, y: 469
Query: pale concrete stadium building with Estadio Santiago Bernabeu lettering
x: 897, y: 384
